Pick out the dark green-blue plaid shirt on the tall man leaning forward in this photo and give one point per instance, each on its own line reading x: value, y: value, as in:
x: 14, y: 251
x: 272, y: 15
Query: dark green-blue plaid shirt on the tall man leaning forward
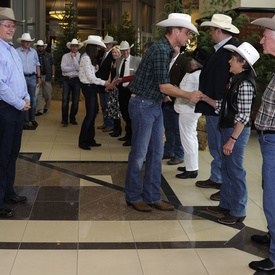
x: 153, y: 70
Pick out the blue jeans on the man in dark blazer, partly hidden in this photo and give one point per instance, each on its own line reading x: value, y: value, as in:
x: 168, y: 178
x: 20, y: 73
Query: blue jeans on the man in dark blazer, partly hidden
x: 215, y: 147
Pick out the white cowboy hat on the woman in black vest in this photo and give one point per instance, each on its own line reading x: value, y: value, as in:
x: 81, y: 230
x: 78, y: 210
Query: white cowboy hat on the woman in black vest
x: 247, y: 51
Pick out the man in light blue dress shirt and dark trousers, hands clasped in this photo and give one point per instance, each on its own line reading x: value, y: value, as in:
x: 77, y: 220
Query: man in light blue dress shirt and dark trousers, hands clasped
x: 14, y: 100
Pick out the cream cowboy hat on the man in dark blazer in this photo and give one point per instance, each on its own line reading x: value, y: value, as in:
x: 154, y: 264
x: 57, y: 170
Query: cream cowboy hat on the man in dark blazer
x: 221, y: 21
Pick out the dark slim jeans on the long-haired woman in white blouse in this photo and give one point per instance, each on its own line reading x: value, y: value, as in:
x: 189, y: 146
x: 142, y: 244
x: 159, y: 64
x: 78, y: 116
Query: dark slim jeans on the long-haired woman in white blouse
x: 87, y: 133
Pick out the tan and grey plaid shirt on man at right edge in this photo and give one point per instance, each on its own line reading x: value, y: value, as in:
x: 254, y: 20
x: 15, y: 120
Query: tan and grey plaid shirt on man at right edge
x: 265, y: 118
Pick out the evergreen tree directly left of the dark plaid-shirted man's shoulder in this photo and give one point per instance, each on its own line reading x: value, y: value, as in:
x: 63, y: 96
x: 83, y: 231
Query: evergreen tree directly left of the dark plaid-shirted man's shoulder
x: 125, y: 31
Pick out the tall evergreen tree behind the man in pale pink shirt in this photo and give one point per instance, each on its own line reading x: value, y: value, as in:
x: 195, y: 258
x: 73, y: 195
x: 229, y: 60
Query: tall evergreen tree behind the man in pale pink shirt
x: 68, y: 31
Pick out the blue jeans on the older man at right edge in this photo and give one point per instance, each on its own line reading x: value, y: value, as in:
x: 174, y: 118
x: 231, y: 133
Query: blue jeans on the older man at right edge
x: 267, y: 144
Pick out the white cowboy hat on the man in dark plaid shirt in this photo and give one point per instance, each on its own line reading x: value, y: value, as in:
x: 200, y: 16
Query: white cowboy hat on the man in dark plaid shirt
x: 179, y: 20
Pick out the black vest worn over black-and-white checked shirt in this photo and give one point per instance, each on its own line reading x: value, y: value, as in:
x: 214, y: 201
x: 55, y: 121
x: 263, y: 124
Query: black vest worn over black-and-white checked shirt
x: 229, y: 106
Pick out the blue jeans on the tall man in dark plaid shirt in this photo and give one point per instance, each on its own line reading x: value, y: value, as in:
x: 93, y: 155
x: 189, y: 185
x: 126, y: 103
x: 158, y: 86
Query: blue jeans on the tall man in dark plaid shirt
x: 147, y: 143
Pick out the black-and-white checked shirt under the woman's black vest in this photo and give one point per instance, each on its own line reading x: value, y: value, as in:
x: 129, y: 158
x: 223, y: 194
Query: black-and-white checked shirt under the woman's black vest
x: 244, y: 101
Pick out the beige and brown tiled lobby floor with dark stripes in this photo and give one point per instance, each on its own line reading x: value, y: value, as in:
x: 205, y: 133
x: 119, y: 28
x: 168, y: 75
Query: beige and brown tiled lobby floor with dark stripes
x: 76, y: 220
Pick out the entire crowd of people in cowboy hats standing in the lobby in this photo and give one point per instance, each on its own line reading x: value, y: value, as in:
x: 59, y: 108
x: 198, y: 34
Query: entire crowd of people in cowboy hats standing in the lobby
x: 163, y: 90
